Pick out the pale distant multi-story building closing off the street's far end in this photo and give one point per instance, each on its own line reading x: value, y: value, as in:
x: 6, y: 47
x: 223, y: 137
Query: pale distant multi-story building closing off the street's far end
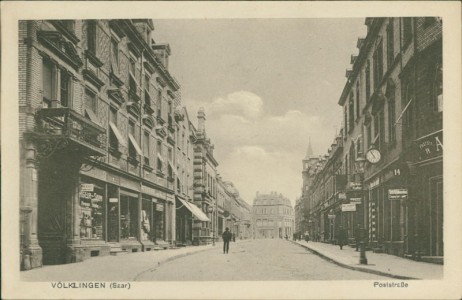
x: 273, y: 216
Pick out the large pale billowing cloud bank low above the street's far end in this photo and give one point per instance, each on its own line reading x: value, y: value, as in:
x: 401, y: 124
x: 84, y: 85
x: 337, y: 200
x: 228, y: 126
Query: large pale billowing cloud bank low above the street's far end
x: 259, y: 151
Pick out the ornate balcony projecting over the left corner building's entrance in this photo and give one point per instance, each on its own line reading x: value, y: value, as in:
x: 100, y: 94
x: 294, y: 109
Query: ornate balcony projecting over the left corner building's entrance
x: 63, y: 127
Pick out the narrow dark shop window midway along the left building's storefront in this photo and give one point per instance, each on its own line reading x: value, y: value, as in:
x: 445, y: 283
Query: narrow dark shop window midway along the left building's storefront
x: 128, y: 217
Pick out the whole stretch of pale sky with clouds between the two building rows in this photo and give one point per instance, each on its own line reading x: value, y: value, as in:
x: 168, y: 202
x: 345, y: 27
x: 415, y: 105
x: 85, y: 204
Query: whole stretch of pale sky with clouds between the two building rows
x: 268, y: 86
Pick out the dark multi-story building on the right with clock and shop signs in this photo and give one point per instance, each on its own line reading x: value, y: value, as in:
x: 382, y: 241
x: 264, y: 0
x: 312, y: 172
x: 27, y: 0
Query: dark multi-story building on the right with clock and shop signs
x: 392, y: 138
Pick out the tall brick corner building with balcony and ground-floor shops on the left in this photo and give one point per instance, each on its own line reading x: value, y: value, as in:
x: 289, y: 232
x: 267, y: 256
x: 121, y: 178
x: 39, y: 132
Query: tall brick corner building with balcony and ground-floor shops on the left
x: 96, y: 105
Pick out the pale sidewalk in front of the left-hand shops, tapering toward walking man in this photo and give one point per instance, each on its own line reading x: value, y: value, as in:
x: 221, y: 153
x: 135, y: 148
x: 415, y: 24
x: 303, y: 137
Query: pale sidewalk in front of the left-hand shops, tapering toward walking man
x: 112, y: 268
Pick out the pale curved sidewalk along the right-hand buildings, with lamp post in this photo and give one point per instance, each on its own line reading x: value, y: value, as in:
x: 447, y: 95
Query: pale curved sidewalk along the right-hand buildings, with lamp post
x: 378, y: 263
